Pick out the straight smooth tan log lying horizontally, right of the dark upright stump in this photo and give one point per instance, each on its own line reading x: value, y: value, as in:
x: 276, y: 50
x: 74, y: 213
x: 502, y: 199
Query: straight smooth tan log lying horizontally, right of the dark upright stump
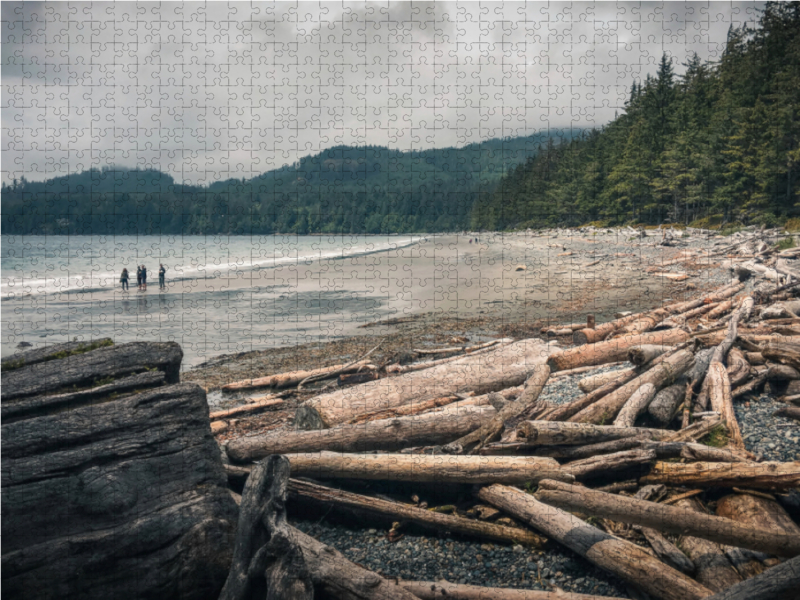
x: 426, y: 468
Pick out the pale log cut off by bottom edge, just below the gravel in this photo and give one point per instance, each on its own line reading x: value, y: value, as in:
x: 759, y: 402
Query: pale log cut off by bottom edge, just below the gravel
x: 442, y: 590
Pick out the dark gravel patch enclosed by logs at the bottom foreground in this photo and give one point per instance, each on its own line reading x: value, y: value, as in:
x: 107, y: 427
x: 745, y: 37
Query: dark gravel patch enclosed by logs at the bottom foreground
x: 430, y: 558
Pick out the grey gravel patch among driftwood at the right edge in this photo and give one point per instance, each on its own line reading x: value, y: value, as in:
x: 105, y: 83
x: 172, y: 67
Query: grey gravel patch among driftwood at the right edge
x: 773, y: 438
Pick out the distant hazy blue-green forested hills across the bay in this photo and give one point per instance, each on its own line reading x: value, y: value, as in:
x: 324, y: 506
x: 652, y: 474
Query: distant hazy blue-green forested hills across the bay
x: 340, y: 190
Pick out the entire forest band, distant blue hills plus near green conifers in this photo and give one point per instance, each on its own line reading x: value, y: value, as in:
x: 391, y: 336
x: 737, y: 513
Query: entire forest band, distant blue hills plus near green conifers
x: 718, y: 144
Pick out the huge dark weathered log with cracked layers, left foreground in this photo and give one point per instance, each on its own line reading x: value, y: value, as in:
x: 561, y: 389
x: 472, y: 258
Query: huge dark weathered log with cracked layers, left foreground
x: 113, y: 486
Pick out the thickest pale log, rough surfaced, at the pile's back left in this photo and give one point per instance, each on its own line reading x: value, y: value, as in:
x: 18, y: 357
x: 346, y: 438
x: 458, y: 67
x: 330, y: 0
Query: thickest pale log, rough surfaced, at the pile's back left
x: 501, y: 368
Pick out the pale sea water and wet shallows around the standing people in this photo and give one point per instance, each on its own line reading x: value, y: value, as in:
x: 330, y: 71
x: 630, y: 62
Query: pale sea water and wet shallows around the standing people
x: 224, y: 294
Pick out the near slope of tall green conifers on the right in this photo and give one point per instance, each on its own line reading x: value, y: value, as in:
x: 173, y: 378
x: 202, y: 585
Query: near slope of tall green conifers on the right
x: 719, y: 144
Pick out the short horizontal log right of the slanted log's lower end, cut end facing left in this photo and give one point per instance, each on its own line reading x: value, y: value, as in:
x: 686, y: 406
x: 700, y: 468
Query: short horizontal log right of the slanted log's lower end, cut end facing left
x: 552, y: 433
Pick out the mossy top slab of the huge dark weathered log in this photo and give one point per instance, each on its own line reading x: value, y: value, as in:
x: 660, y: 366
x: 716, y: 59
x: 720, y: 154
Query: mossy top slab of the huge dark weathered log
x: 89, y: 368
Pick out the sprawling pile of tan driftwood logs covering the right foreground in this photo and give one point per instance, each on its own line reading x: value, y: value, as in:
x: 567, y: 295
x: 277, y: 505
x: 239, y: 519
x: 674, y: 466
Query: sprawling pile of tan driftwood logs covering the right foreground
x: 645, y: 475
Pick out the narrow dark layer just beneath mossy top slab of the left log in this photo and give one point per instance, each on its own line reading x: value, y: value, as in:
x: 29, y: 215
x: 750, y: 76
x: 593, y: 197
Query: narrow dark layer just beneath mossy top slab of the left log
x: 25, y: 408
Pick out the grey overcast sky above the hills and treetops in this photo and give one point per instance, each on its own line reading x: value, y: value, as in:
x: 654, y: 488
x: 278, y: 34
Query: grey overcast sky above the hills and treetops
x: 209, y: 91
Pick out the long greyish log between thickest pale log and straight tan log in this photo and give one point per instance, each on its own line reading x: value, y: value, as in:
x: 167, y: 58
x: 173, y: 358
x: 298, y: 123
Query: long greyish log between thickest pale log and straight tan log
x: 385, y: 434
